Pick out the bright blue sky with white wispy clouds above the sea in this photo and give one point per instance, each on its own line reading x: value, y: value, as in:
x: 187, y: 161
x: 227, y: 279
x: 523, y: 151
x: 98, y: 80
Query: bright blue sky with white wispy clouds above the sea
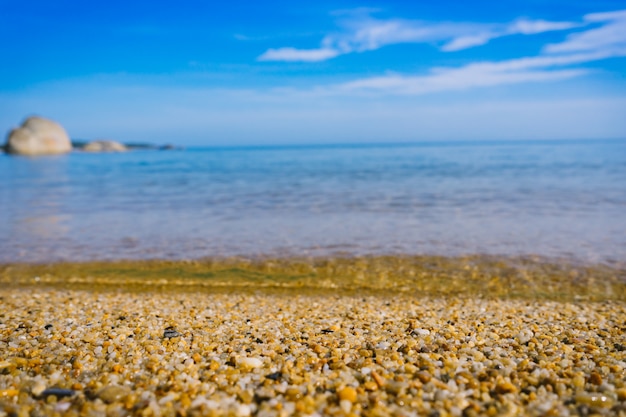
x: 281, y: 72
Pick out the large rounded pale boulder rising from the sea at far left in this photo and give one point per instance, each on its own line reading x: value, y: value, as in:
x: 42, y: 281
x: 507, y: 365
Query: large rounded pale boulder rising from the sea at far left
x: 38, y: 136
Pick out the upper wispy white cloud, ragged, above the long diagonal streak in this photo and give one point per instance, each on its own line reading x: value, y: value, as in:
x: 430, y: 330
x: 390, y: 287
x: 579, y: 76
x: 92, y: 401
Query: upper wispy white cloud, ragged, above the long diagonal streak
x: 361, y: 32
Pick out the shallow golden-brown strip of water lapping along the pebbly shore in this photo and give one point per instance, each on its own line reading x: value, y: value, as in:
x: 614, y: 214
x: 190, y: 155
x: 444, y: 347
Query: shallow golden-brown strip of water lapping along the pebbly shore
x: 423, y: 276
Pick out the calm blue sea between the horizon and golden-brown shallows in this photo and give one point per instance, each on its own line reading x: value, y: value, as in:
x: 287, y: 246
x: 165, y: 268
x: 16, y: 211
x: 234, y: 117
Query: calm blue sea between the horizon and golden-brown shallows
x: 554, y: 199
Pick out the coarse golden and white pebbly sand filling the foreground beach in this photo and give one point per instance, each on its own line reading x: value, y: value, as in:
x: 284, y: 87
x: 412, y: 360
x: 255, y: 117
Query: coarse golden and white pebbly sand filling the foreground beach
x: 110, y: 350
